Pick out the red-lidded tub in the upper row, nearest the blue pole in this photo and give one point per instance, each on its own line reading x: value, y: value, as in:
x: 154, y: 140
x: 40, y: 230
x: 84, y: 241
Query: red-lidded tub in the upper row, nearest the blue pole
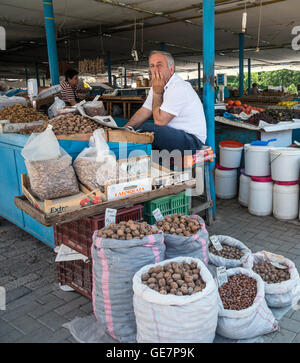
x: 231, y: 153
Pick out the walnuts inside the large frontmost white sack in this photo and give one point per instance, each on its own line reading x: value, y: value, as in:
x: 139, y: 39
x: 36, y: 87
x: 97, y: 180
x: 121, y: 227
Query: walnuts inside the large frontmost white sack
x: 175, y: 278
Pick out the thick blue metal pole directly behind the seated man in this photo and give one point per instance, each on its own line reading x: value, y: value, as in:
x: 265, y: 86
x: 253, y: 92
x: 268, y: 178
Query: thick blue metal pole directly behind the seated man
x: 209, y: 82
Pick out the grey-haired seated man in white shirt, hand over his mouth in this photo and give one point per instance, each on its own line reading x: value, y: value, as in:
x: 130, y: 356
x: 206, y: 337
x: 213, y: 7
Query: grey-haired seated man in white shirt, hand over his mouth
x: 179, y: 120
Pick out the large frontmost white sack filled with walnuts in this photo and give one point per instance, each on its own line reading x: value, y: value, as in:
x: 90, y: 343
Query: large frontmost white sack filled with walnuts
x: 171, y: 311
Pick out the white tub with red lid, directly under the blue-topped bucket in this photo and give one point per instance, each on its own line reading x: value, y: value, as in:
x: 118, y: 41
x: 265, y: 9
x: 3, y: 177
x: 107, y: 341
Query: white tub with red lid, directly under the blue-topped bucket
x: 260, y: 196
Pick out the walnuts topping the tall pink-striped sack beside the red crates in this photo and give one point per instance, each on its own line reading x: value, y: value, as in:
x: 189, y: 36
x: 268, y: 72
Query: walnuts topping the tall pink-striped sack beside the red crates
x: 127, y: 230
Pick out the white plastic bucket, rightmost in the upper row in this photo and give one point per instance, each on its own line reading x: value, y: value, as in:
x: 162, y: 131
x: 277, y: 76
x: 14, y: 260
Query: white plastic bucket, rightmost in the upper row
x: 285, y: 164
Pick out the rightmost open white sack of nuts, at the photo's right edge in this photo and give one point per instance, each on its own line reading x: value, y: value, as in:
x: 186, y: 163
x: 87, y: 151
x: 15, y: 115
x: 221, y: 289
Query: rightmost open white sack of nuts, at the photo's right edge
x: 280, y: 276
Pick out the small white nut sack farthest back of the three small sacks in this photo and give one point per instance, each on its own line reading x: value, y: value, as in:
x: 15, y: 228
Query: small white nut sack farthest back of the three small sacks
x: 232, y: 254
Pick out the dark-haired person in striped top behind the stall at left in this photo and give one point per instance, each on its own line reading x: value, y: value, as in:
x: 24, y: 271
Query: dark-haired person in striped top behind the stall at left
x: 72, y: 92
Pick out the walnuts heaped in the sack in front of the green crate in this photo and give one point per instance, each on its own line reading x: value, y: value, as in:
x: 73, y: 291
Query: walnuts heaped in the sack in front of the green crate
x: 179, y: 224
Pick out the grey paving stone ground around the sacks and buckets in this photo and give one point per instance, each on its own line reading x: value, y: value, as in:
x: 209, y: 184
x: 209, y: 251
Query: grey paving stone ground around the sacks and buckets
x: 36, y: 308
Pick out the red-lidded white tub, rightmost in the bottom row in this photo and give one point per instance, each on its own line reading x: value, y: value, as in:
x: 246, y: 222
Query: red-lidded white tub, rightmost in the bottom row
x: 286, y: 200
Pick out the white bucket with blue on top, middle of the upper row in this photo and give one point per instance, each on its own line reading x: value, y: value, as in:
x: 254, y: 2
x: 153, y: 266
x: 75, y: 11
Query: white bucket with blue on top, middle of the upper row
x: 257, y: 160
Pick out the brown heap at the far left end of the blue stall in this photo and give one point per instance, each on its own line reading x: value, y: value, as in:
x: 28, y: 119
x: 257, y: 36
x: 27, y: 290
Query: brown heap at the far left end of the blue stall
x: 21, y: 114
